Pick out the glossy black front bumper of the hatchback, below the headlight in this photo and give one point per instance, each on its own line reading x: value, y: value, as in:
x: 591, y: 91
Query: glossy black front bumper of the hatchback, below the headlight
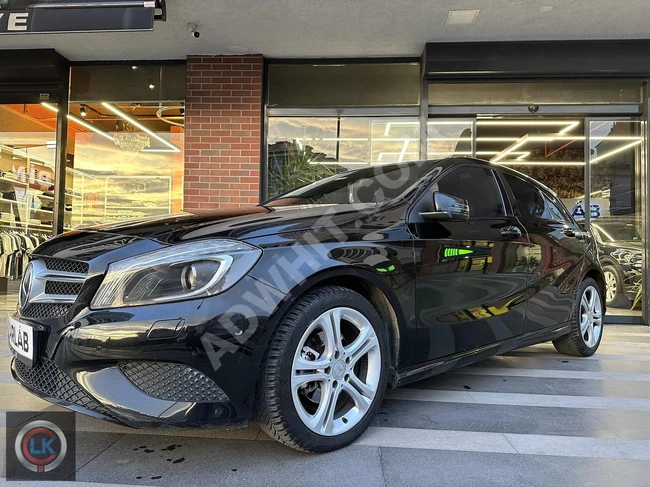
x: 111, y: 366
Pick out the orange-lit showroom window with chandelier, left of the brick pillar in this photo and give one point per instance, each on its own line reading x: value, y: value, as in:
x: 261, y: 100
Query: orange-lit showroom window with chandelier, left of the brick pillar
x: 125, y: 143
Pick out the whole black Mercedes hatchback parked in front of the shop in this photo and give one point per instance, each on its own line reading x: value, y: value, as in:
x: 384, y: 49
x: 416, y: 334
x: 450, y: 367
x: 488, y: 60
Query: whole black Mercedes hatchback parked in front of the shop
x: 298, y: 313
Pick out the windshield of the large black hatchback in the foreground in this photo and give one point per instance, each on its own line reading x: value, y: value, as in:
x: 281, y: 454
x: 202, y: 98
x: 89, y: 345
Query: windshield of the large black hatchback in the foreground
x: 375, y: 184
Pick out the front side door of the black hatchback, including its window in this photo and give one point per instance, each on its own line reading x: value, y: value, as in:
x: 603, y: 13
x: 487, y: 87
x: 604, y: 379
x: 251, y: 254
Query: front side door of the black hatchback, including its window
x: 470, y: 276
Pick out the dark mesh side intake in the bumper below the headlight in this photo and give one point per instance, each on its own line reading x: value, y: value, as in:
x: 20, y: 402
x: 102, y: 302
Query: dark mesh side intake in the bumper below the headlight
x: 172, y: 382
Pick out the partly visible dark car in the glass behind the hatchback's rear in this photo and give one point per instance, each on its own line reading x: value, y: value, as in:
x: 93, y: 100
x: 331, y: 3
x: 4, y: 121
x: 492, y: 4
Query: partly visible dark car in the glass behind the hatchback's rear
x: 621, y: 254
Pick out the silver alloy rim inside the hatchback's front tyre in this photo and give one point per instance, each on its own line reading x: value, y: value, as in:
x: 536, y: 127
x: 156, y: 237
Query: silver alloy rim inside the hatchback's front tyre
x: 336, y: 371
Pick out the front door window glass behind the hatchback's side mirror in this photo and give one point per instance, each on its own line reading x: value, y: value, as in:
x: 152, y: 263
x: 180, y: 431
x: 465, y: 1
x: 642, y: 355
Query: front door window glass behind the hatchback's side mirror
x: 478, y: 186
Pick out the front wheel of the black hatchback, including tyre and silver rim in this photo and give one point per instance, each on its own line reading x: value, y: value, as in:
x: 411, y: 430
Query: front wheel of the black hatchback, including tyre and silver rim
x: 294, y: 414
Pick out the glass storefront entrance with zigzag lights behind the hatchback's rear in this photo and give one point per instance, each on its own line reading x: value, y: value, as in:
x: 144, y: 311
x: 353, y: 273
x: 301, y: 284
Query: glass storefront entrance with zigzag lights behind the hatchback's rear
x: 593, y: 164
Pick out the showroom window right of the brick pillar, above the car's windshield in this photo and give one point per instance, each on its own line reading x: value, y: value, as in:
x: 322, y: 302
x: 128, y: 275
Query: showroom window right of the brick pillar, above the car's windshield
x: 324, y: 119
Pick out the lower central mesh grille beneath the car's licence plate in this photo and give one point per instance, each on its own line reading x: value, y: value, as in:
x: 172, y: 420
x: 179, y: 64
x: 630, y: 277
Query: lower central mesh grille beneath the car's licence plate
x: 50, y: 380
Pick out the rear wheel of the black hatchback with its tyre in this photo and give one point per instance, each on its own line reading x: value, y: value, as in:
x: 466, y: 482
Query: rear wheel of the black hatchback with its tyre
x: 586, y: 323
